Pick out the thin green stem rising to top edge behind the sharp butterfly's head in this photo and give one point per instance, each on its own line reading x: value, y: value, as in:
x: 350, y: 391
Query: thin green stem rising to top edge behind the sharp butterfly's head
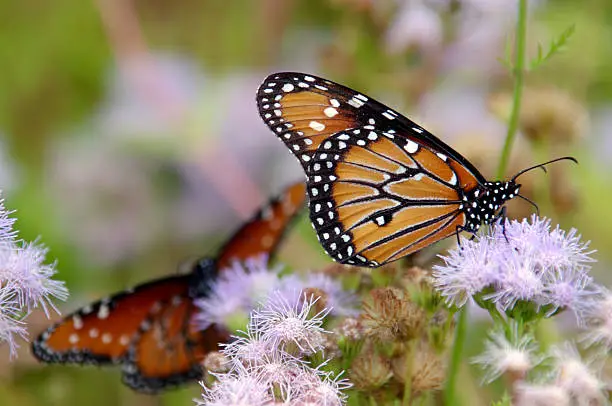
x: 518, y: 72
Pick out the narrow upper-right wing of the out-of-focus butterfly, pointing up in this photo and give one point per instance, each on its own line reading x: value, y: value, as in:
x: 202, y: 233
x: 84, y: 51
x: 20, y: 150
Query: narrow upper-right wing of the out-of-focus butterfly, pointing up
x: 262, y: 234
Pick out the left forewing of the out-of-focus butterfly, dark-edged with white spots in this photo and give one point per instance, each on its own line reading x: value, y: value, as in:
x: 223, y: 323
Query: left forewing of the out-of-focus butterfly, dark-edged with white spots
x: 102, y: 332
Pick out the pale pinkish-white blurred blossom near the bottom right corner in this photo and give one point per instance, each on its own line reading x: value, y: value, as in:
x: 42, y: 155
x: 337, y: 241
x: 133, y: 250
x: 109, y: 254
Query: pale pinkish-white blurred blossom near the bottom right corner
x: 579, y: 378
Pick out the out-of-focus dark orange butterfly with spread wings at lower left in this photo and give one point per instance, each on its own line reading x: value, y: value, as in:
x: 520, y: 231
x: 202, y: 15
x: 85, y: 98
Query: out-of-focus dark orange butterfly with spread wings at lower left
x: 148, y: 330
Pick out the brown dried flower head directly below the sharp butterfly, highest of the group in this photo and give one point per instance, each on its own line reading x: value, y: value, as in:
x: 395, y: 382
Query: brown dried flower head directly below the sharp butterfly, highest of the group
x: 389, y: 315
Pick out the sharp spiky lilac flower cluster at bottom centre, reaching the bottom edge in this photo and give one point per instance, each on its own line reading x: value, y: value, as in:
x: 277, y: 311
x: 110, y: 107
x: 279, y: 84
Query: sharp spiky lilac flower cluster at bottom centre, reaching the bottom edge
x: 266, y: 364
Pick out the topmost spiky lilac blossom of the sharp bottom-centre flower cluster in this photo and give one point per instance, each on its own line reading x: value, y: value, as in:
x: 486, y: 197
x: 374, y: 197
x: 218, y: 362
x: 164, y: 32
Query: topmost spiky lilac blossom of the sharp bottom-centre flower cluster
x: 283, y: 323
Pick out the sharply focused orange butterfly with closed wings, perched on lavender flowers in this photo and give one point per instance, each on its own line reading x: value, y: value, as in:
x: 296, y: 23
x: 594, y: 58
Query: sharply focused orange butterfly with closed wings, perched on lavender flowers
x: 380, y: 186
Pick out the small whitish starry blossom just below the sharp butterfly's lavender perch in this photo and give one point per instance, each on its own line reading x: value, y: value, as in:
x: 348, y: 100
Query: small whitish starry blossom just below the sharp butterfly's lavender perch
x: 516, y: 355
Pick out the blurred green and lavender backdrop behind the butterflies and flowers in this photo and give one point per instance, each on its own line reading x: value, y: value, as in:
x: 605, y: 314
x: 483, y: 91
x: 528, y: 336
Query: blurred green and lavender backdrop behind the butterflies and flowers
x: 130, y: 140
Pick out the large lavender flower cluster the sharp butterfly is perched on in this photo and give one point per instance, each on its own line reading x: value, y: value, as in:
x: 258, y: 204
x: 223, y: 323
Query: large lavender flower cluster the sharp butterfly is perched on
x: 524, y: 262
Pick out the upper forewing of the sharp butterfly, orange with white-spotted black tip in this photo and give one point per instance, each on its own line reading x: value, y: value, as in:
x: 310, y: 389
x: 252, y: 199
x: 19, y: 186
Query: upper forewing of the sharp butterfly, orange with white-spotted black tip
x: 303, y: 110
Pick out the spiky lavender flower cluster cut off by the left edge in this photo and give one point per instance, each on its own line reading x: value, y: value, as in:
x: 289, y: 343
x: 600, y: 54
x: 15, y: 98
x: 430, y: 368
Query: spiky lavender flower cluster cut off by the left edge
x: 25, y: 282
